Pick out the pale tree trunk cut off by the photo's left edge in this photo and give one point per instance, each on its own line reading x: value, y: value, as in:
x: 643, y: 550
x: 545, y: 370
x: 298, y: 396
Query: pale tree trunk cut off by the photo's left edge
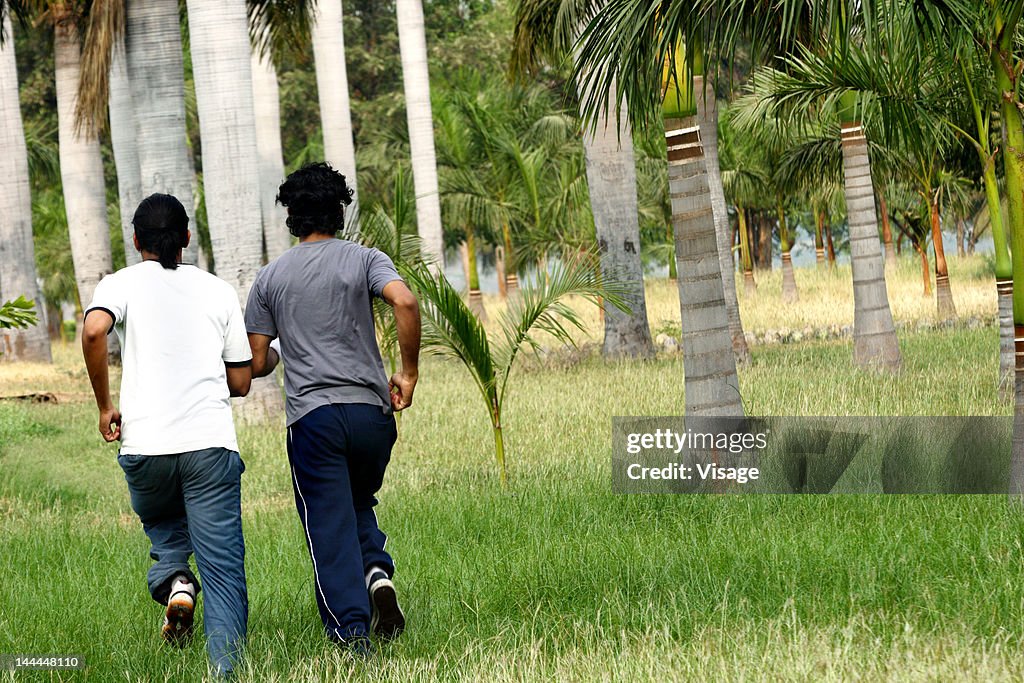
x: 18, y: 257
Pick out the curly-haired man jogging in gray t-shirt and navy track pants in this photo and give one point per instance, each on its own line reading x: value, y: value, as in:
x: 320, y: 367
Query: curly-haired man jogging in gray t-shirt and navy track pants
x: 317, y: 300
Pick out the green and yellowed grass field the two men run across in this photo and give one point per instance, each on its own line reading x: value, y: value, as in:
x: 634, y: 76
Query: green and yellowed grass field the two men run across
x: 554, y: 578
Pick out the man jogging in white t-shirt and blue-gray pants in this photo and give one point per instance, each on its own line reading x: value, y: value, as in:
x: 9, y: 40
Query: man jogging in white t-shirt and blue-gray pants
x: 185, y: 353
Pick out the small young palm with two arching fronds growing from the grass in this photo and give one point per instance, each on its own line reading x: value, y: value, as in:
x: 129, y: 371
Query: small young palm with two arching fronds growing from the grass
x: 452, y: 331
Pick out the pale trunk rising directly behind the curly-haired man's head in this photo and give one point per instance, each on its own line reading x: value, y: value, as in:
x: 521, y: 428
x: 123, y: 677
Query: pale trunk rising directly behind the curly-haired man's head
x: 332, y: 89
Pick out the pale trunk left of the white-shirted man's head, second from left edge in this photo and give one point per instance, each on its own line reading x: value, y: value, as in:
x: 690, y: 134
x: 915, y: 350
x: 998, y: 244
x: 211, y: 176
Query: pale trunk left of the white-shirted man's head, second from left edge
x: 81, y: 170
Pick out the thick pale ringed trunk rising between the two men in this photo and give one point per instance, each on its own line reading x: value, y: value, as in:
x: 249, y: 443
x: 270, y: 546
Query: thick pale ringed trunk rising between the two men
x: 223, y: 71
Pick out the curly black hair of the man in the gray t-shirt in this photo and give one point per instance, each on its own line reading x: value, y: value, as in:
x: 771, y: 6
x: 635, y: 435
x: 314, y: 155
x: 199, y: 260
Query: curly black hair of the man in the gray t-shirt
x: 316, y: 197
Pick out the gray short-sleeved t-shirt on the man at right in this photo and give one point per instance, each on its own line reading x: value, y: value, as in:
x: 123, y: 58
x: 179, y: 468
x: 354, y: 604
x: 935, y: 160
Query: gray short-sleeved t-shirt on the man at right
x: 317, y: 298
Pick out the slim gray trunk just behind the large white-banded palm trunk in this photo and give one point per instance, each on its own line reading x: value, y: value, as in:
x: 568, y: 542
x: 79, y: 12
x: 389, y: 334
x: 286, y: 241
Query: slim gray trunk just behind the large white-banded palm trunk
x: 708, y: 117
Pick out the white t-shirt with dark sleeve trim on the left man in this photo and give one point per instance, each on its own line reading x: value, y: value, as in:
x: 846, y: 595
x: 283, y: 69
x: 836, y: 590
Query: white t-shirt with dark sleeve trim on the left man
x: 178, y: 329
